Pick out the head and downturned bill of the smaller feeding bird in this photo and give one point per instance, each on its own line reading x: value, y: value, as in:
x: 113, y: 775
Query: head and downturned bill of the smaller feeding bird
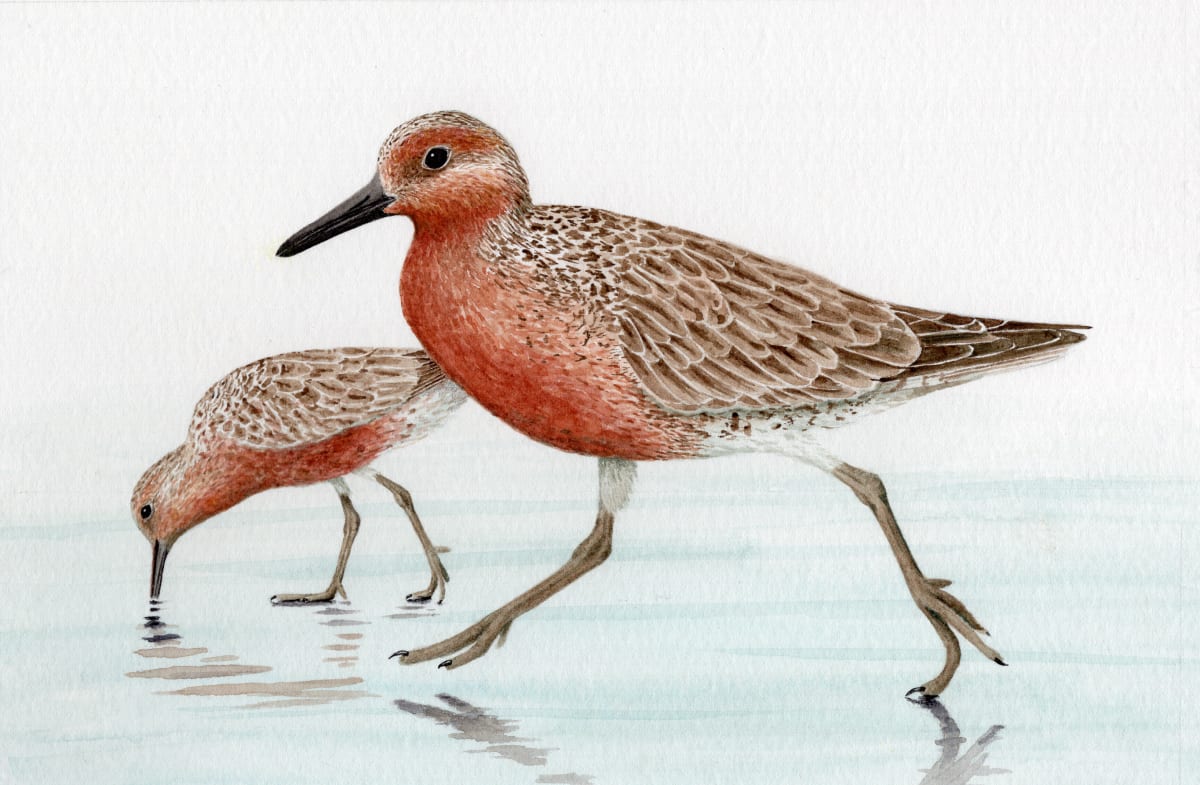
x: 161, y: 513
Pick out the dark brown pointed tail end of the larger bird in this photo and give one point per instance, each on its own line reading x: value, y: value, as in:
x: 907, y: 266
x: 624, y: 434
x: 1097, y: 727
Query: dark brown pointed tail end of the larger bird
x: 959, y: 349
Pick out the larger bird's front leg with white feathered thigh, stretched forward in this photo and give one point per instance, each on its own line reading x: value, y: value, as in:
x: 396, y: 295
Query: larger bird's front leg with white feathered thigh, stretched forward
x: 616, y: 483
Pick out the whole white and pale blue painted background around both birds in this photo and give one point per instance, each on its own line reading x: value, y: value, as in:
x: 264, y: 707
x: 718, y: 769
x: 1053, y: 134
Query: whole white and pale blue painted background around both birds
x: 999, y: 160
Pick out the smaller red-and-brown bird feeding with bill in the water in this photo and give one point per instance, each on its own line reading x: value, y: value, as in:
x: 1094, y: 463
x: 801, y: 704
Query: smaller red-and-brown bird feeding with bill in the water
x: 297, y: 420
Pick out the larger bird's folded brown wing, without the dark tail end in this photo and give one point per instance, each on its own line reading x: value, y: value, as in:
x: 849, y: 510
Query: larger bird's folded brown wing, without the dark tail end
x: 710, y: 327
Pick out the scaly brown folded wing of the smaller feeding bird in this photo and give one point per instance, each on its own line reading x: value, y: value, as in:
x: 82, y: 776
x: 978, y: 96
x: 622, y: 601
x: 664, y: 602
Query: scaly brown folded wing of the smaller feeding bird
x: 302, y: 398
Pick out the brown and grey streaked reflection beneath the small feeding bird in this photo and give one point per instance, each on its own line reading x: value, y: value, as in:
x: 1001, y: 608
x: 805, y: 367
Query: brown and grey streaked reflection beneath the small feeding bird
x: 211, y: 669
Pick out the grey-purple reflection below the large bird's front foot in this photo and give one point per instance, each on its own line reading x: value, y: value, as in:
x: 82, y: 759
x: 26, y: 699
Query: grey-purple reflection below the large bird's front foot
x: 496, y: 734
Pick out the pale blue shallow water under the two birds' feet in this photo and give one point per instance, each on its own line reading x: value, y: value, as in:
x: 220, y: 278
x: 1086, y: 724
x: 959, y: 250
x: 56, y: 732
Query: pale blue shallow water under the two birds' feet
x: 725, y: 642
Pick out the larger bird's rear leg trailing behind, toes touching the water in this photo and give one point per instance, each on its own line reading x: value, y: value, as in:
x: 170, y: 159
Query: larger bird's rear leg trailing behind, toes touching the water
x: 945, y: 612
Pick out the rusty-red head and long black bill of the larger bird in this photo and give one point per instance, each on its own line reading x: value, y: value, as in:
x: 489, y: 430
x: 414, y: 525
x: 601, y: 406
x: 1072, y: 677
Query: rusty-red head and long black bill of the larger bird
x: 440, y: 169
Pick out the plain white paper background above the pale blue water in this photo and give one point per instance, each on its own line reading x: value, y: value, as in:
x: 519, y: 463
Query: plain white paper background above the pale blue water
x: 991, y: 159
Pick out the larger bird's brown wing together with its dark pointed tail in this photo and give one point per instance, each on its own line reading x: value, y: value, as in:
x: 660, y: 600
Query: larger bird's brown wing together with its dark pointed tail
x: 709, y: 327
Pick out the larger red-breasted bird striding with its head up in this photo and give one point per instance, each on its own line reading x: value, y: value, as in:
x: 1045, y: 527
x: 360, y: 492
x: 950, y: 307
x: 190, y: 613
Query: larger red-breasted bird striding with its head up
x: 628, y: 340
